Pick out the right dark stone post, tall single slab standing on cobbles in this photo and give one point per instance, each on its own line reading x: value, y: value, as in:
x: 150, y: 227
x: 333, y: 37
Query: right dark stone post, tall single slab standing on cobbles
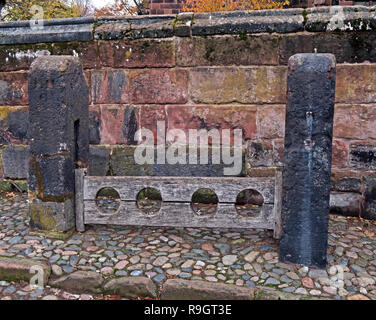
x: 307, y: 159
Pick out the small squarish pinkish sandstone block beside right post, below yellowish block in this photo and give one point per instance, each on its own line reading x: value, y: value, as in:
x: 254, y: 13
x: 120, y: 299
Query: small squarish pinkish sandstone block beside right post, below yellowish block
x: 271, y: 121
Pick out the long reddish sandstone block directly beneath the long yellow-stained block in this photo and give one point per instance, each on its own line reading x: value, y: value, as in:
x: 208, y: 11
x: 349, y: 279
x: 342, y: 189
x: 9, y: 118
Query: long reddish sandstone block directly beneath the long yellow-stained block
x: 213, y: 117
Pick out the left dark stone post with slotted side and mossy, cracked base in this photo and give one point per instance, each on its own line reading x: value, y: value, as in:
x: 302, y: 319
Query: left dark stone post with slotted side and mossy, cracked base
x: 59, y: 120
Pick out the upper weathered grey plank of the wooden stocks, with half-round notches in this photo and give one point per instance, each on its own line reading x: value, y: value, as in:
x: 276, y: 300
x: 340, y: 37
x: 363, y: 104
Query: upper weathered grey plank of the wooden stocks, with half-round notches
x: 180, y: 189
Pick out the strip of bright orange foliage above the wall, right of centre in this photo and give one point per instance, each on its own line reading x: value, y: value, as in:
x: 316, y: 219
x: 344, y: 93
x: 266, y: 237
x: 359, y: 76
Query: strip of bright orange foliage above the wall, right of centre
x: 231, y: 5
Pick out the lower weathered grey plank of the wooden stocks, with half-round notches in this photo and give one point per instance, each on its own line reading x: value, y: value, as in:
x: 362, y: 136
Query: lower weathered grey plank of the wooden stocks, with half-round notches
x: 179, y: 215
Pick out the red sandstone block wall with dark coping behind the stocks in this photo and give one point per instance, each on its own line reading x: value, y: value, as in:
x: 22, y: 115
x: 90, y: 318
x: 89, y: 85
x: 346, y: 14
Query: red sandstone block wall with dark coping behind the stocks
x: 221, y: 70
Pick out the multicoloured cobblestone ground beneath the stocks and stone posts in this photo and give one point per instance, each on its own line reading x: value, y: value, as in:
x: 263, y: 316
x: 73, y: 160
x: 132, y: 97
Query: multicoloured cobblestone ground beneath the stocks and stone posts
x: 241, y: 257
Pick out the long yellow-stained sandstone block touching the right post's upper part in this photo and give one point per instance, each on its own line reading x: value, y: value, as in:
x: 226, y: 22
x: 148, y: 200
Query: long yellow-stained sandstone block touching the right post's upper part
x: 253, y: 85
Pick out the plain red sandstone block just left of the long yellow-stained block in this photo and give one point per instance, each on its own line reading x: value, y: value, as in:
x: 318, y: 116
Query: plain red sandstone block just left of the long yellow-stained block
x: 158, y: 86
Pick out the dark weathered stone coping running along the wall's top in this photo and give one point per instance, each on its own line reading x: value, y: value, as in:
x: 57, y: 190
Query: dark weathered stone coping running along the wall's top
x: 321, y: 19
